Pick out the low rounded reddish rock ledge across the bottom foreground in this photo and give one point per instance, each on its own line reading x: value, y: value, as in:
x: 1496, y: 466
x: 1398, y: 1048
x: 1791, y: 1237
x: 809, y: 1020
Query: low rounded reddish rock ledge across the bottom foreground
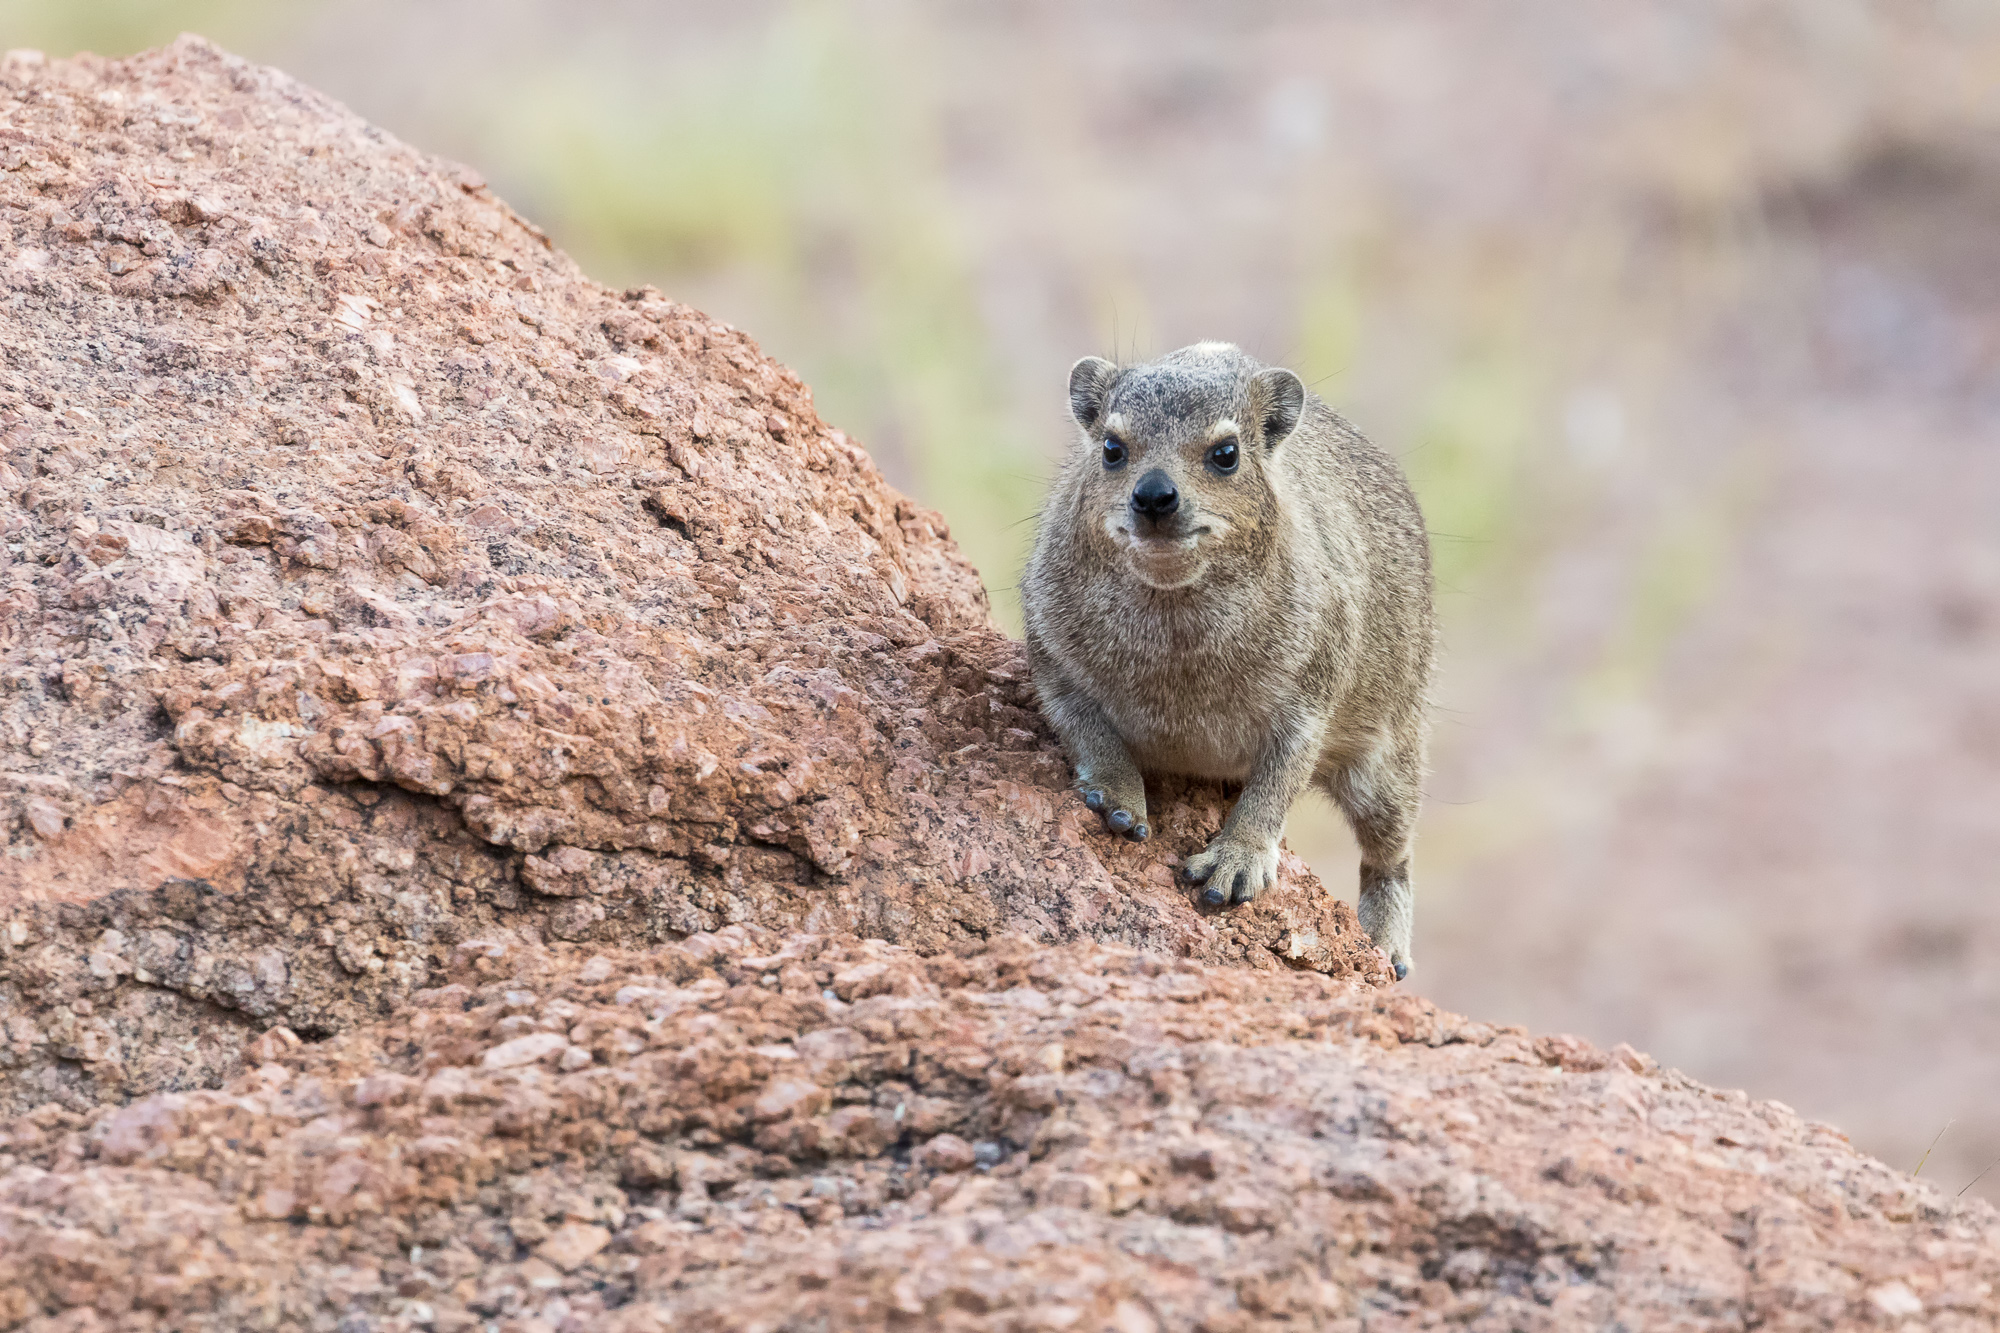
x: 757, y: 1132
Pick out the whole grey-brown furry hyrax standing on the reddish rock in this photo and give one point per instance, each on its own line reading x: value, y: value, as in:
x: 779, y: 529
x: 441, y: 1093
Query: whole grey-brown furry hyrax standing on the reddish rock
x: 1231, y: 583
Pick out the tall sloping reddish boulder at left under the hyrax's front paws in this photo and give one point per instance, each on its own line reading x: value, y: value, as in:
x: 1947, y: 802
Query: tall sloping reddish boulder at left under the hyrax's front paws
x: 373, y: 579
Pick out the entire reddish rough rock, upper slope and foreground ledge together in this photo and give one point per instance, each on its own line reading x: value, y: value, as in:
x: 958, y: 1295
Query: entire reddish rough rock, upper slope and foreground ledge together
x: 463, y: 724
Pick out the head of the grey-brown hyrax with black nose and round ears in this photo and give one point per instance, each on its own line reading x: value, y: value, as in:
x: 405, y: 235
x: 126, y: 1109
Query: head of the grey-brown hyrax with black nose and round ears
x: 1177, y: 459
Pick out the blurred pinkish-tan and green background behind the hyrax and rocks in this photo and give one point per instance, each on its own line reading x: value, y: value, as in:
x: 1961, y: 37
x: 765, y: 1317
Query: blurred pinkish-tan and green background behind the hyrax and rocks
x: 1683, y: 315
